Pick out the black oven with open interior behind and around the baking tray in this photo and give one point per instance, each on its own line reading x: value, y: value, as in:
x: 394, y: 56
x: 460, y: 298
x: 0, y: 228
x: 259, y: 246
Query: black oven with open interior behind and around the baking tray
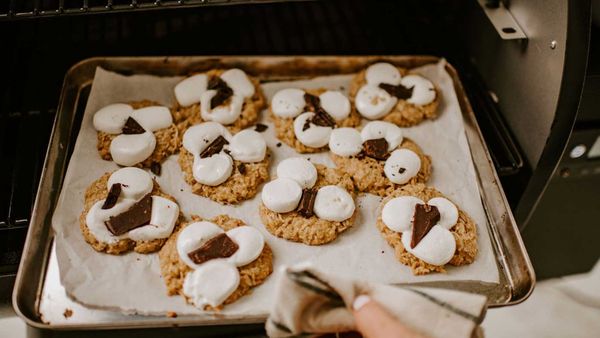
x: 523, y: 64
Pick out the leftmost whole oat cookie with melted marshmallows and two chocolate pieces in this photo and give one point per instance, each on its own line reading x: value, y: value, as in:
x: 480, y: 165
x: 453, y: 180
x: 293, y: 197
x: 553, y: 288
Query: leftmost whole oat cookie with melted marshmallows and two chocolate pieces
x: 135, y: 184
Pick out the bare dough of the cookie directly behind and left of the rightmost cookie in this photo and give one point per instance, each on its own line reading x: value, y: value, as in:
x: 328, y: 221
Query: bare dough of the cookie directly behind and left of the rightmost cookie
x: 368, y: 175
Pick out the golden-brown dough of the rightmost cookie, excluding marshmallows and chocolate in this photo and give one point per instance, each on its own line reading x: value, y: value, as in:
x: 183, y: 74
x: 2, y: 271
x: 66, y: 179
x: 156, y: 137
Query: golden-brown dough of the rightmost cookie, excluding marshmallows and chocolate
x: 464, y: 232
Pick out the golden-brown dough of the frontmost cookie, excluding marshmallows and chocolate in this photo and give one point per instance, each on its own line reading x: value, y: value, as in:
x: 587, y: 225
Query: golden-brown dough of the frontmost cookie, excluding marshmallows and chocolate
x: 174, y: 270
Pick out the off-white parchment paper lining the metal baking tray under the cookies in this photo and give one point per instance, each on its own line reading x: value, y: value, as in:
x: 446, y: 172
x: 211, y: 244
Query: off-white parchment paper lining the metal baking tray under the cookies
x: 131, y: 283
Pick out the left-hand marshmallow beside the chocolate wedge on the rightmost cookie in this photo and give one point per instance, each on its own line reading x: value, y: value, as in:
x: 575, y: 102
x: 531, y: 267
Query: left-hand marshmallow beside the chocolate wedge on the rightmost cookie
x: 397, y: 214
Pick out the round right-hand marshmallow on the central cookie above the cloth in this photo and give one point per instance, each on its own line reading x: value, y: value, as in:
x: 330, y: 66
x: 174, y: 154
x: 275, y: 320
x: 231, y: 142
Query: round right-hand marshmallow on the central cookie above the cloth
x: 333, y: 203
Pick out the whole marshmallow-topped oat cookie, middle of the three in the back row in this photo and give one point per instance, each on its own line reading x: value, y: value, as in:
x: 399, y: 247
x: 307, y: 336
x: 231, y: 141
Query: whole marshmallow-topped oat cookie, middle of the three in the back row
x: 297, y: 124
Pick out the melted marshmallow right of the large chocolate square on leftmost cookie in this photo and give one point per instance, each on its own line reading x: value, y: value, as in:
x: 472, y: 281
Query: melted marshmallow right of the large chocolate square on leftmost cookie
x: 162, y: 221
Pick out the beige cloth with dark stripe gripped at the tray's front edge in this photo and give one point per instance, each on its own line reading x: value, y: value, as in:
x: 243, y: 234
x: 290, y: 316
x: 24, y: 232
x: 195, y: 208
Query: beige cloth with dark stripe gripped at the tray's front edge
x: 310, y: 302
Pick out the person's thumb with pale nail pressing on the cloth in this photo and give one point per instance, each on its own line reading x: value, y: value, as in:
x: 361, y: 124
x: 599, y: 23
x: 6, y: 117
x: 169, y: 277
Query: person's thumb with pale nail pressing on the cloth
x: 373, y: 321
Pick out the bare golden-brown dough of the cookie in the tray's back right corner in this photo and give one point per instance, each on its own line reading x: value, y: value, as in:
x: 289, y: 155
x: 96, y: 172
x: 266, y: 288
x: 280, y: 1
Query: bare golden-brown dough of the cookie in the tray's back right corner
x: 404, y: 114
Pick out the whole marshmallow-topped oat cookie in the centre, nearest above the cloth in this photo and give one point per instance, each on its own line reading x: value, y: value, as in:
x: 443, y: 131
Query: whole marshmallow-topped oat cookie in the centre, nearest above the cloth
x: 312, y: 206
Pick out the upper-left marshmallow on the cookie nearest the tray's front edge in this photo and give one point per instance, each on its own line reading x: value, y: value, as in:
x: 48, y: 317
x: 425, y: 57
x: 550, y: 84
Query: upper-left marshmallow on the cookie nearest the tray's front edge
x: 193, y: 237
